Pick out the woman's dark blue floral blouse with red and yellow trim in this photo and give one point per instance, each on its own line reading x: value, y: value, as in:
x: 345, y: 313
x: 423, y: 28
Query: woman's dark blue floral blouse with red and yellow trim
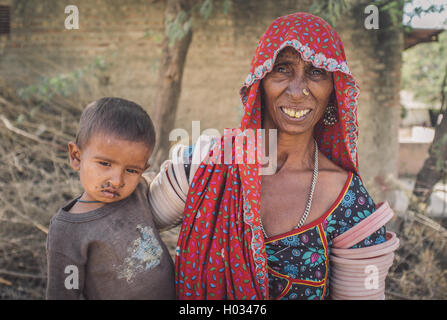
x: 298, y: 262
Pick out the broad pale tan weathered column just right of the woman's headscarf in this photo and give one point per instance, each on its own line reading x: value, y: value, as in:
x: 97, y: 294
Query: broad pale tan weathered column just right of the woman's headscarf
x: 375, y: 58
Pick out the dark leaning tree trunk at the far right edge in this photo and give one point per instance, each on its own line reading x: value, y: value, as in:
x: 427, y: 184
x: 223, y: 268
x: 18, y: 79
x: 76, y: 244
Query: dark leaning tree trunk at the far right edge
x: 434, y: 168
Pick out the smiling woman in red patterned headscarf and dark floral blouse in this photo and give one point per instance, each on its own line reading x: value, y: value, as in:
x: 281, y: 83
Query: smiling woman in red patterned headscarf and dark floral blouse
x: 250, y: 236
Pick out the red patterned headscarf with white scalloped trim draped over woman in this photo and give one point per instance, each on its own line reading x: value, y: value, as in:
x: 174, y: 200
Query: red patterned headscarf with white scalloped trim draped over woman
x: 221, y: 252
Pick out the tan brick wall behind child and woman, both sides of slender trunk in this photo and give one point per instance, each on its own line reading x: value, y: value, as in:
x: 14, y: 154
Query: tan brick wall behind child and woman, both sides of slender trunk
x: 128, y: 37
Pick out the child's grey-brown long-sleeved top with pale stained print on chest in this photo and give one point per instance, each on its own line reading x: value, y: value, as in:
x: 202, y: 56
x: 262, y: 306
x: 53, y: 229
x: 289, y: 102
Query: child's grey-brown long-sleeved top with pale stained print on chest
x: 114, y: 252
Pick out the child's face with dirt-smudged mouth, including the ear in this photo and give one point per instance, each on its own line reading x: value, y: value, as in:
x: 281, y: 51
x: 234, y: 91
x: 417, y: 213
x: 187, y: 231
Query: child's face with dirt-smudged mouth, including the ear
x: 110, y: 168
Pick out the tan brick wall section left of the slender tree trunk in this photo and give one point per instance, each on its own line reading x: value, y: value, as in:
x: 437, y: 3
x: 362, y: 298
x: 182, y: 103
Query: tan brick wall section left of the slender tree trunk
x: 40, y: 45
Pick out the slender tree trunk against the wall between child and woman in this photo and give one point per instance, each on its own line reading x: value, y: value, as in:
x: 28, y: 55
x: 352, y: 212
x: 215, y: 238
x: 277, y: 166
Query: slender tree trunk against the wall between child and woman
x: 170, y: 76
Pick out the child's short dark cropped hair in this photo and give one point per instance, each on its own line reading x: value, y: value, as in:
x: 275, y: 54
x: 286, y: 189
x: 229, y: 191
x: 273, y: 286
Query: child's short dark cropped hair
x: 119, y: 117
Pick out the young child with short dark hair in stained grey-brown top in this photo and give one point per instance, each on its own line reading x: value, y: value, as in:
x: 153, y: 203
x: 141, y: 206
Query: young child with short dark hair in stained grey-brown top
x: 104, y: 244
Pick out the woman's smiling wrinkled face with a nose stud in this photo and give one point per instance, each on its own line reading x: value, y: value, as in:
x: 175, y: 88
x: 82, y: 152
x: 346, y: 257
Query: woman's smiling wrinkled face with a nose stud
x: 286, y: 107
